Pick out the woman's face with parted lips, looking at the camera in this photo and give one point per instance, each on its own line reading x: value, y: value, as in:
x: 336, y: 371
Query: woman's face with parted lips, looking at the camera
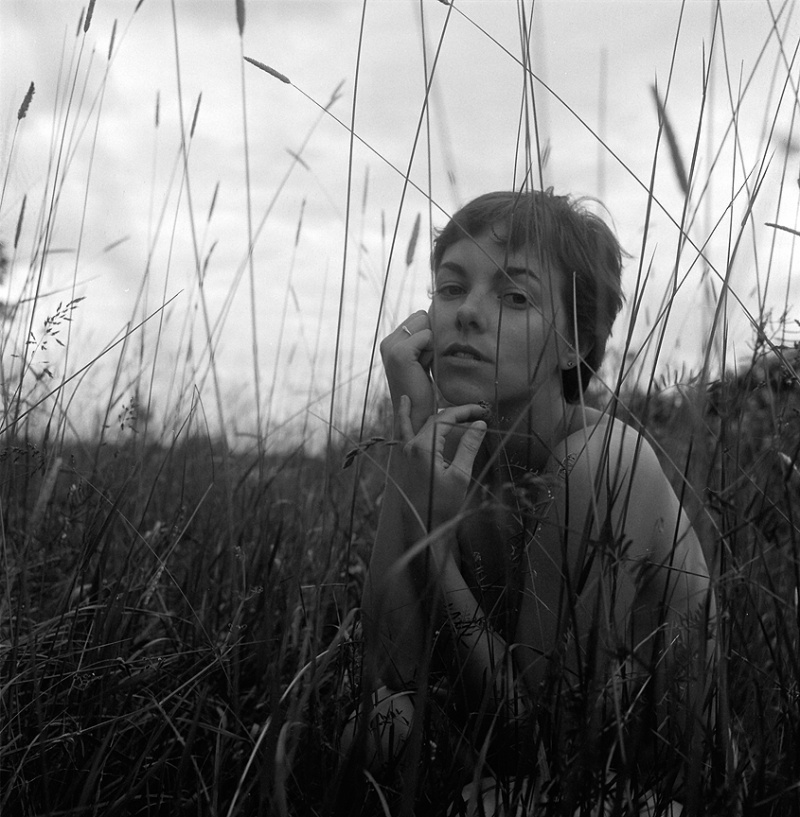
x: 499, y: 325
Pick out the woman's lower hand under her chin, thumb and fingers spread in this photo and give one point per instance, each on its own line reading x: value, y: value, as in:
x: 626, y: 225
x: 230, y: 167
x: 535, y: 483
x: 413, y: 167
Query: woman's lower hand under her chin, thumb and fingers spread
x: 436, y: 489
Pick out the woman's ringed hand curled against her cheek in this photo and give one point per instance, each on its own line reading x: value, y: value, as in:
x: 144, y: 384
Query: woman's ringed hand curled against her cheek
x: 407, y: 356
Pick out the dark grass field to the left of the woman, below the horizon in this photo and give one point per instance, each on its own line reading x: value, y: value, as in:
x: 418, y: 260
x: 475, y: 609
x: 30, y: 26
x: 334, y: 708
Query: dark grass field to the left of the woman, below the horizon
x: 162, y: 627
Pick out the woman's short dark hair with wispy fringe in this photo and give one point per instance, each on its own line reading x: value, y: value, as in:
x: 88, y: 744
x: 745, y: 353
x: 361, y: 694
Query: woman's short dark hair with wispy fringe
x: 569, y: 236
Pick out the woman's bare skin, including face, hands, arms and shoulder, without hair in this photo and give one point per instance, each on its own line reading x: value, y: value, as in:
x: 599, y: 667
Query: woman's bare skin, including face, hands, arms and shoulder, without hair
x: 497, y: 335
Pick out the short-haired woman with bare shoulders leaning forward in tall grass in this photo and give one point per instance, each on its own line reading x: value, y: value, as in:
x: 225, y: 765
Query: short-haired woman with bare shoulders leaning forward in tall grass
x: 529, y: 548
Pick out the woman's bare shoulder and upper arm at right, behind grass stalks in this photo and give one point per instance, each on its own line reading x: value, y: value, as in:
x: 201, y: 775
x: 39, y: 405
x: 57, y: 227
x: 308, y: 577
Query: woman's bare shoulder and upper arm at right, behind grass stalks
x: 616, y: 582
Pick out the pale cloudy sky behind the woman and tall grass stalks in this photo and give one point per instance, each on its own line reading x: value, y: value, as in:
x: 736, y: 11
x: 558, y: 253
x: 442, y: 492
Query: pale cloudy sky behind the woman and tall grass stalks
x: 117, y: 170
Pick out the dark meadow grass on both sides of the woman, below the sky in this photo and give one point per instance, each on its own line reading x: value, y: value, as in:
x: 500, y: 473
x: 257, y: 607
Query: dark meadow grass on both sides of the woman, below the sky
x: 179, y: 636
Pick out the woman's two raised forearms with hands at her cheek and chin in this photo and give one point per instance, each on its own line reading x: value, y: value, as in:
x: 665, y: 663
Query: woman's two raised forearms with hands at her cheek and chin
x: 405, y: 598
